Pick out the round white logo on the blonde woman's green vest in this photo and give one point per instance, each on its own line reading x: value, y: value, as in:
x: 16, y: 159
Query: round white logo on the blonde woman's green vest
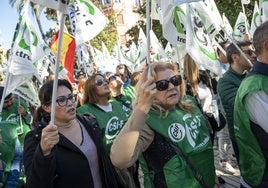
x: 176, y: 132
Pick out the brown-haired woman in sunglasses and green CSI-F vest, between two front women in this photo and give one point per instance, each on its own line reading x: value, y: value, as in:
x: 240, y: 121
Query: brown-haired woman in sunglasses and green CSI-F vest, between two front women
x: 111, y: 115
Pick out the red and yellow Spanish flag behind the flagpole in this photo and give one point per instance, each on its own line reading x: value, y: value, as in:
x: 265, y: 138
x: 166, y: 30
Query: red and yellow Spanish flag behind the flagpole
x: 67, y: 52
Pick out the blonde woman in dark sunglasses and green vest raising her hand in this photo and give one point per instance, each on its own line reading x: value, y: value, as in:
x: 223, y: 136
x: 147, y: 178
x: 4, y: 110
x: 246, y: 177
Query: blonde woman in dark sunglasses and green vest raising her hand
x: 166, y: 132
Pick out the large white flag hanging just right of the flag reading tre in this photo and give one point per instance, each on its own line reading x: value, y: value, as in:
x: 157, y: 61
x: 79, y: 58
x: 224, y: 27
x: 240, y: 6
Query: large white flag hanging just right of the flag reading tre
x: 198, y: 43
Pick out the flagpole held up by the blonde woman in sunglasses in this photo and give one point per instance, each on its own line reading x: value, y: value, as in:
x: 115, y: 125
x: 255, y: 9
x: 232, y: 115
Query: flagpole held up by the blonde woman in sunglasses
x: 148, y: 27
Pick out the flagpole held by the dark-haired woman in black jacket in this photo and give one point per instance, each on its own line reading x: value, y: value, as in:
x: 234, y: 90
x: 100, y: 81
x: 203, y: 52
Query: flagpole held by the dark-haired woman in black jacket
x: 55, y: 83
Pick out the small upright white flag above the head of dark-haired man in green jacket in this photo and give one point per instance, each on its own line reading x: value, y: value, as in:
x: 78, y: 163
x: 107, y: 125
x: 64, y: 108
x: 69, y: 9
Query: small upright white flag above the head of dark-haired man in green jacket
x: 240, y: 27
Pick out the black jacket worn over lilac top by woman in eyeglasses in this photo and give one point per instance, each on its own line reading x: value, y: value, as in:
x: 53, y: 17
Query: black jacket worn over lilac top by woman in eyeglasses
x: 66, y: 166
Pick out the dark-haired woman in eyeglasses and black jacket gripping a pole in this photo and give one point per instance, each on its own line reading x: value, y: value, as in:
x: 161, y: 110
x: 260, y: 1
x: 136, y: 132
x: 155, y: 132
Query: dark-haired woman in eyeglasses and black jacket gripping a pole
x: 68, y: 153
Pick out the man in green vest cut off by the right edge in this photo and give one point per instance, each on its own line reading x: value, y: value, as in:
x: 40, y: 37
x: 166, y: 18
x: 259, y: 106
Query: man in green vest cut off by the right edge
x: 250, y: 116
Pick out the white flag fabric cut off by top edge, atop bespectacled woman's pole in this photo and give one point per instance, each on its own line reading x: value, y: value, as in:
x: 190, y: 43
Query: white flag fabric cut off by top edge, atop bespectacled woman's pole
x: 54, y: 4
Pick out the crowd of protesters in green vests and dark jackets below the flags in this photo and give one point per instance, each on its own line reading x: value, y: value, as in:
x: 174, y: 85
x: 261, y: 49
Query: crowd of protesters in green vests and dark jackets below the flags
x: 150, y: 128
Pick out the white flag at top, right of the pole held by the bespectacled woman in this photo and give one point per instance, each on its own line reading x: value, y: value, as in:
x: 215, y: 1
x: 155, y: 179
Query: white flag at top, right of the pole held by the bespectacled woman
x: 86, y: 19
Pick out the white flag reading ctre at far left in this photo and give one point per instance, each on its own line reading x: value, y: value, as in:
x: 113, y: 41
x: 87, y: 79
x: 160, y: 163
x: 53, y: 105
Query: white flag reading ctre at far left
x: 27, y: 49
